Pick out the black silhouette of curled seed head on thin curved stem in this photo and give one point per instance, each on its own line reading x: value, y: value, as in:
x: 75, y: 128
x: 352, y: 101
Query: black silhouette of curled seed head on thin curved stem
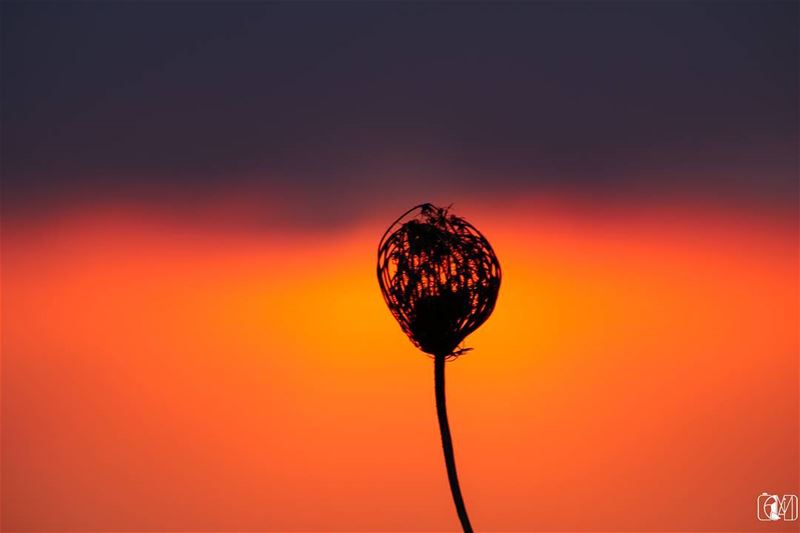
x: 440, y: 278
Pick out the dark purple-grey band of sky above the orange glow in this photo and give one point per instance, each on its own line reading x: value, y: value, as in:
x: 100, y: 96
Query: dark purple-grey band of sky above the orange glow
x: 174, y: 102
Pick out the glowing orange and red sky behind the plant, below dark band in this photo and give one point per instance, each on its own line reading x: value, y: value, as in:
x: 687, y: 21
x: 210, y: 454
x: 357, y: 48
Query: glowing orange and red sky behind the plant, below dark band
x: 640, y: 372
